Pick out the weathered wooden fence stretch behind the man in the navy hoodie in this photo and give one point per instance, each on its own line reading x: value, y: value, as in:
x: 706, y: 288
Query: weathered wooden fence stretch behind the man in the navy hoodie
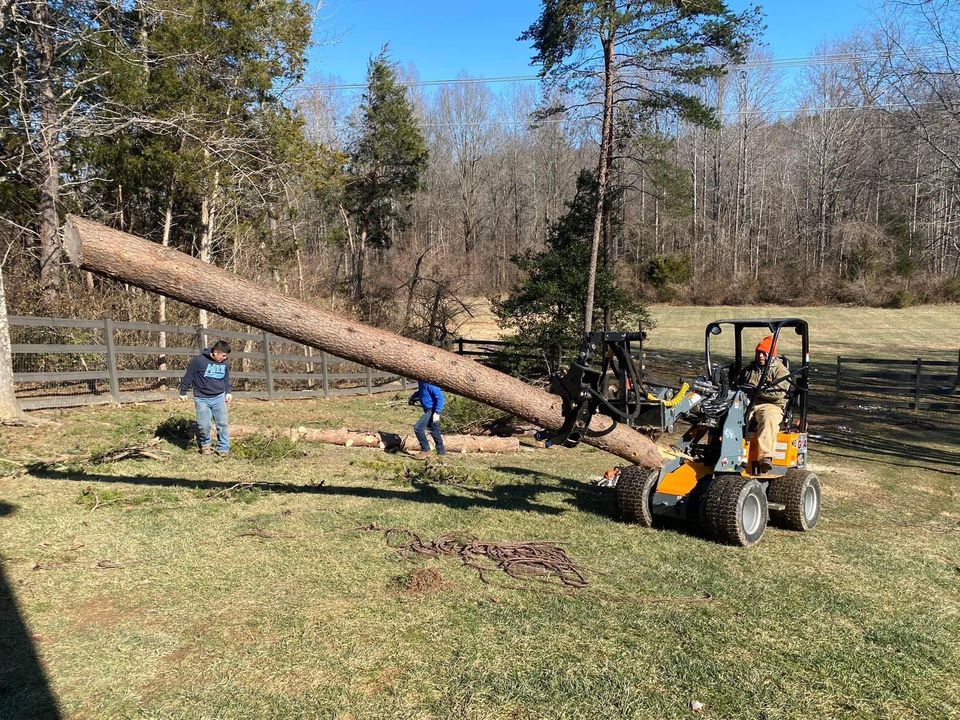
x: 62, y: 362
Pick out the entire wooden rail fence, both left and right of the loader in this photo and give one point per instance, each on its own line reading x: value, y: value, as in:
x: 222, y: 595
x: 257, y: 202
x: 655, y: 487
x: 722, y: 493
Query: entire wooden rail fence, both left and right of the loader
x: 61, y: 362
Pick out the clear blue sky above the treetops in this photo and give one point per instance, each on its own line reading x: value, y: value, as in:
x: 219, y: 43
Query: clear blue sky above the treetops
x: 445, y: 38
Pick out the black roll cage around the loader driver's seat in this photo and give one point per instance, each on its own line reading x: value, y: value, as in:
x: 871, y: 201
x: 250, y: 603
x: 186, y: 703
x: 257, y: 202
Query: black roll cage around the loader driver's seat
x: 798, y: 378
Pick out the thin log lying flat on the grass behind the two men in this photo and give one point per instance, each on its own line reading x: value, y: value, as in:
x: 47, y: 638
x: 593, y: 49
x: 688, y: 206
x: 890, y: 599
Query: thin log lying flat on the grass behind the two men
x: 383, y: 440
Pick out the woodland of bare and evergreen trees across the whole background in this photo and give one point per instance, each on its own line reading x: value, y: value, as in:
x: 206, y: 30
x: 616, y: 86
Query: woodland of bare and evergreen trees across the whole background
x: 187, y: 122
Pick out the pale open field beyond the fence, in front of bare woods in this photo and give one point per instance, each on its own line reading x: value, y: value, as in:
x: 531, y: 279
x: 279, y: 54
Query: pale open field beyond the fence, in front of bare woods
x: 931, y: 331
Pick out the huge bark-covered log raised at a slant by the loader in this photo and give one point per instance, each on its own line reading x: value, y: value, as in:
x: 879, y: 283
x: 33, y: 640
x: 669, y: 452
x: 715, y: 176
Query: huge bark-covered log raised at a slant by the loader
x: 133, y: 260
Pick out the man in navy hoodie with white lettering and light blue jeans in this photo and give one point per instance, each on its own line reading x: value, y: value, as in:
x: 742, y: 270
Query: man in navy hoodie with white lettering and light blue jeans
x: 209, y: 375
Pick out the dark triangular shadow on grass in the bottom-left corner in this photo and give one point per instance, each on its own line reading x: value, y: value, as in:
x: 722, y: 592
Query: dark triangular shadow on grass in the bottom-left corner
x: 24, y: 689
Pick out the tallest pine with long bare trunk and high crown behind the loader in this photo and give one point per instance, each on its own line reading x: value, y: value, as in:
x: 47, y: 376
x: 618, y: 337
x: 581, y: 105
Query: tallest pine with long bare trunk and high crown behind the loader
x: 648, y: 53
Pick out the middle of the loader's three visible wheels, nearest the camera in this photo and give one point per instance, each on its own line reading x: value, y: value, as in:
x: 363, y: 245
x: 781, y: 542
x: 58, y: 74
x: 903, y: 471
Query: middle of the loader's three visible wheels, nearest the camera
x: 735, y: 510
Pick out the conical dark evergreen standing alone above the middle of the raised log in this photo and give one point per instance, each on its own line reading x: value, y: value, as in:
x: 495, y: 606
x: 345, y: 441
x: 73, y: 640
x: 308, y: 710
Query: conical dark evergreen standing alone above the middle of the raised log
x: 385, y: 166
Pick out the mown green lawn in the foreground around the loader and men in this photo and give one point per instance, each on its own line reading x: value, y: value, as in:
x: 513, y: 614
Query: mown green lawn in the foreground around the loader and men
x: 158, y: 588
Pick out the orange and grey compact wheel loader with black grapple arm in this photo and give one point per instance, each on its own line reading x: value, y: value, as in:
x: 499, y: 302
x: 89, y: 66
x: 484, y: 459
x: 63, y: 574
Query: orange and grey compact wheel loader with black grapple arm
x: 712, y: 474
